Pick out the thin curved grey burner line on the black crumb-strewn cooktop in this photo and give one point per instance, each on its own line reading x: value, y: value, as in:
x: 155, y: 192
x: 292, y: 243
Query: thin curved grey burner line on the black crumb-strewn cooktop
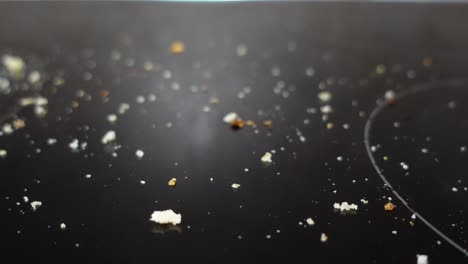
x: 367, y: 130
